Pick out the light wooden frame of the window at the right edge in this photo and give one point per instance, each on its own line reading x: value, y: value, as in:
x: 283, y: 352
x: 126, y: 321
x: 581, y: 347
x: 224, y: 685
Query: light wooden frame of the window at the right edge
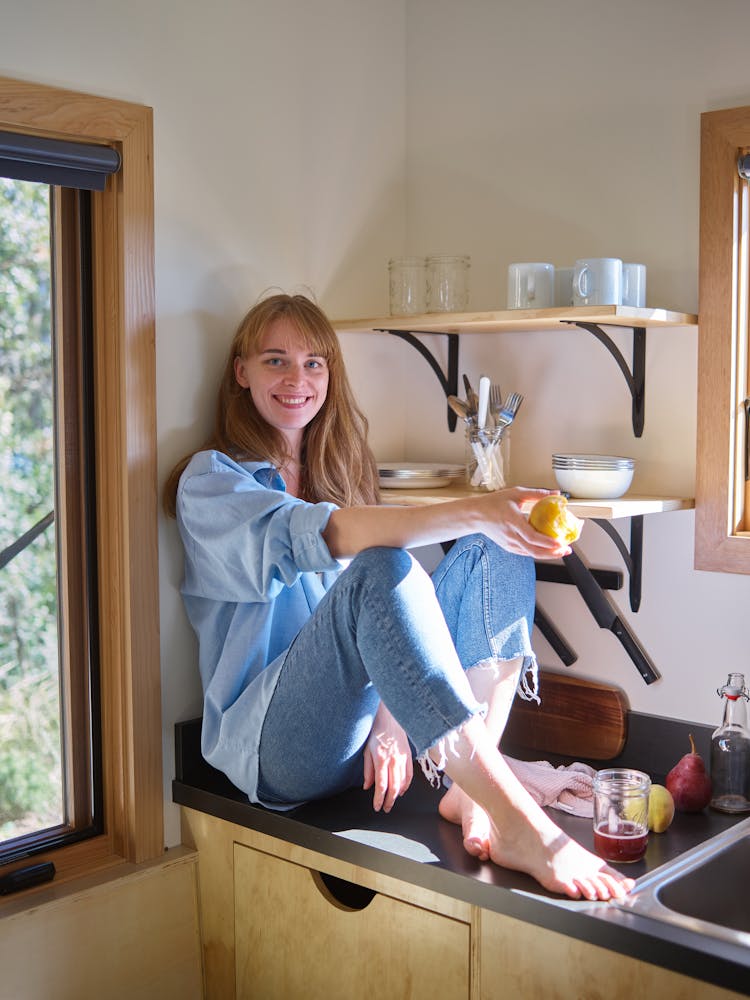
x: 722, y: 520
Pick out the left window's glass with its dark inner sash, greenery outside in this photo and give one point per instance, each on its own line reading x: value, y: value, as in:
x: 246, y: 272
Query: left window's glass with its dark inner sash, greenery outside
x: 50, y: 787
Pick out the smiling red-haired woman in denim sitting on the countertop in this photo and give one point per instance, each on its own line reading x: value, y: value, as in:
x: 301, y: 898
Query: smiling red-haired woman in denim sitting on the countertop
x: 316, y: 680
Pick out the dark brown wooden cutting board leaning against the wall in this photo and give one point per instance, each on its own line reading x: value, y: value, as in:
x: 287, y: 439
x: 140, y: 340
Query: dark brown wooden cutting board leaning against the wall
x: 577, y: 718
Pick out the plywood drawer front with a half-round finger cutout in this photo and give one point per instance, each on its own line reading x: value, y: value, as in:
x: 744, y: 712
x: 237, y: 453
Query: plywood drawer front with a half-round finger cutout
x: 293, y: 941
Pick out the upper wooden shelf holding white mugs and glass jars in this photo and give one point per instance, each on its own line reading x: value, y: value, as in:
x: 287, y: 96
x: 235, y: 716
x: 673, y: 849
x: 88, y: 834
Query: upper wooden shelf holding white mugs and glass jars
x: 508, y: 320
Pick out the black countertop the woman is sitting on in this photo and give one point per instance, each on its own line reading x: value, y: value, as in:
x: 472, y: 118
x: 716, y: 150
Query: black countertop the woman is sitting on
x: 414, y: 844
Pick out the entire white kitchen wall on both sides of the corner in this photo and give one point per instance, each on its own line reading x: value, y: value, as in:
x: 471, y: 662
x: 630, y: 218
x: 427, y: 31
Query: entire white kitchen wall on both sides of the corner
x: 344, y: 132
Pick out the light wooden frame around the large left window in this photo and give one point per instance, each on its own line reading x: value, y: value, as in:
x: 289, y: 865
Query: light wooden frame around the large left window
x: 122, y: 594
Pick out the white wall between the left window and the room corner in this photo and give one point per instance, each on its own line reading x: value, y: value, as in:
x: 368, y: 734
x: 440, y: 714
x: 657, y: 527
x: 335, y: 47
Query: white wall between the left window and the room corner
x: 279, y: 134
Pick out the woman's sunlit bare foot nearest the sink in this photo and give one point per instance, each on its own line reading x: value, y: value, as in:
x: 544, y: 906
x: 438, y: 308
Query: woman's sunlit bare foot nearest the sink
x: 541, y: 849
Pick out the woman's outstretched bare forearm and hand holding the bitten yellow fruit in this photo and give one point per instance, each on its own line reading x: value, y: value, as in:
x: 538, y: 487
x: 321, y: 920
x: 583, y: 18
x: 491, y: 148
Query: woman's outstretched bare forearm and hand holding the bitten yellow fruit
x: 497, y: 514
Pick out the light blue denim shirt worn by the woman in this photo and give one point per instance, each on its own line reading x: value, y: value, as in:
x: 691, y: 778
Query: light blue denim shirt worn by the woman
x: 256, y: 567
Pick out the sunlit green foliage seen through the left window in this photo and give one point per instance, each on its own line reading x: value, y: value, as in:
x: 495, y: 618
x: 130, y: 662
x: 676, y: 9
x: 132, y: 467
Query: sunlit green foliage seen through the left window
x: 30, y: 769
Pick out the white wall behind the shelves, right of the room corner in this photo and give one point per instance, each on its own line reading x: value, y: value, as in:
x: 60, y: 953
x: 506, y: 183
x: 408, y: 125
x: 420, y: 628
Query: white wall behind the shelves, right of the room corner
x: 547, y: 131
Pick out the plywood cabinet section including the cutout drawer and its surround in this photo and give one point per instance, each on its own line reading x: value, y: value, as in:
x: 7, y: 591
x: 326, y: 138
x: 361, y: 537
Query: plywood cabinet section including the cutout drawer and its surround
x: 271, y: 927
